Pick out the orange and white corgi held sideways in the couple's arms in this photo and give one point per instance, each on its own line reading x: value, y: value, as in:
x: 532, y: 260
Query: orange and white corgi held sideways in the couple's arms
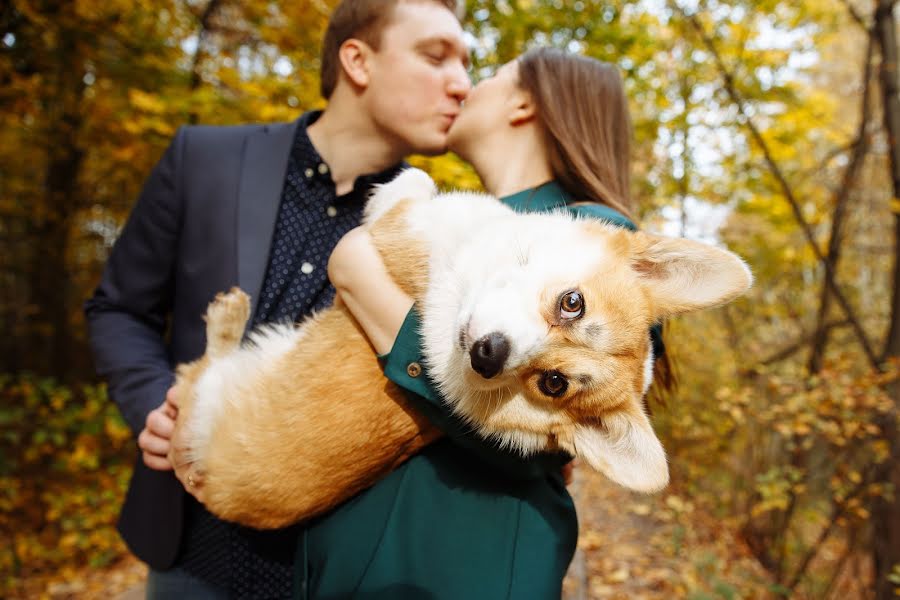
x: 535, y: 331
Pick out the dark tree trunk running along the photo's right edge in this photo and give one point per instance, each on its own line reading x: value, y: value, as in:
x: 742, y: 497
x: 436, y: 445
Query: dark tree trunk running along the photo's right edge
x: 886, y: 513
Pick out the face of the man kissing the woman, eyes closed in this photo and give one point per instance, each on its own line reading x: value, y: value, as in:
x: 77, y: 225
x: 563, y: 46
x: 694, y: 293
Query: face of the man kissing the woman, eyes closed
x: 418, y: 77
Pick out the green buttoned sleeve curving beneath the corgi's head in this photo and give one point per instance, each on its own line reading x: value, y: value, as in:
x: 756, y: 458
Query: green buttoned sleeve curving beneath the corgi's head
x: 407, y: 350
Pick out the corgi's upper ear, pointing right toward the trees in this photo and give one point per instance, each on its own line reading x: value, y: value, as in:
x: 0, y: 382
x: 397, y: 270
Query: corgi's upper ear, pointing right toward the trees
x: 684, y: 275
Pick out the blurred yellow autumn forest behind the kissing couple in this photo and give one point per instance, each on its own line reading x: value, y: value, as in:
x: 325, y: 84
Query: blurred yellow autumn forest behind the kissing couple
x: 769, y: 126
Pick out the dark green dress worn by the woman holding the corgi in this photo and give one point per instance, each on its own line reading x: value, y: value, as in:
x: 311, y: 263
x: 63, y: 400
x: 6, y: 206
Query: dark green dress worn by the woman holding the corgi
x: 461, y: 520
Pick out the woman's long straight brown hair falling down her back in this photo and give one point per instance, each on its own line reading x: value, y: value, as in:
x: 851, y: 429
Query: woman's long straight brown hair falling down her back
x: 581, y: 104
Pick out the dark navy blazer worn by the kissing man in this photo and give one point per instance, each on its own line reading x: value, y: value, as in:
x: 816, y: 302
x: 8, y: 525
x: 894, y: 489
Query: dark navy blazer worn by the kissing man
x: 203, y: 223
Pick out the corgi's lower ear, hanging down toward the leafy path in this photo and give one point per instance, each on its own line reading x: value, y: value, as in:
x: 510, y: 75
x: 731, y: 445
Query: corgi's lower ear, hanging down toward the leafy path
x: 625, y: 449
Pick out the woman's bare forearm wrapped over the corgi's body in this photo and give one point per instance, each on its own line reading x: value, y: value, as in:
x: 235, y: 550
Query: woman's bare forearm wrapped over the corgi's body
x: 362, y: 282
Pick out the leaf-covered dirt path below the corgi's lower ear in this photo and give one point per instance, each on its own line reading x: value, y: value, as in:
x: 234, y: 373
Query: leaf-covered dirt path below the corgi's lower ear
x: 633, y: 546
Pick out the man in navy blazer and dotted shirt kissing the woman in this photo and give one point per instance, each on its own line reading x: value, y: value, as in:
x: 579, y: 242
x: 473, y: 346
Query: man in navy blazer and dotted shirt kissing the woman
x: 260, y: 207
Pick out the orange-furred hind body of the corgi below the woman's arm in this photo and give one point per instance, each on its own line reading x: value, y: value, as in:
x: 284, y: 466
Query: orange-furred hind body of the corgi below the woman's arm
x: 299, y: 435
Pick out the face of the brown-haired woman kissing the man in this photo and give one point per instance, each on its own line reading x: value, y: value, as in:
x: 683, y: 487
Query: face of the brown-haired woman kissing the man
x: 488, y: 106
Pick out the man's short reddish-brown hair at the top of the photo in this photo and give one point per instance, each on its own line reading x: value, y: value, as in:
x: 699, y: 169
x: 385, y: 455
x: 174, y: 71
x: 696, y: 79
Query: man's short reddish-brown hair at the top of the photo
x: 364, y: 20
